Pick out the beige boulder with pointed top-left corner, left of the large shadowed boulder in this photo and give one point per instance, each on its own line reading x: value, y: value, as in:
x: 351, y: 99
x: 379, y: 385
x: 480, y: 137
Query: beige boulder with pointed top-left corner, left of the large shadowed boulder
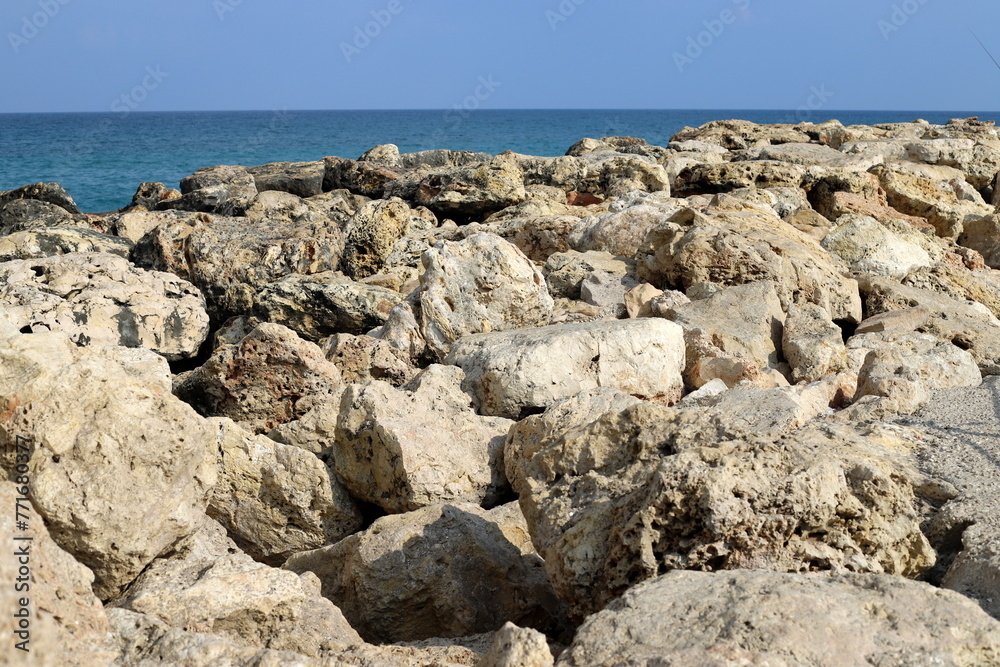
x: 276, y: 500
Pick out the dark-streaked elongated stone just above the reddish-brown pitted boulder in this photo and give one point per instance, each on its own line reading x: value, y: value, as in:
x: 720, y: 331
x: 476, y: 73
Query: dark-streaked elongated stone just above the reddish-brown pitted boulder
x: 325, y: 304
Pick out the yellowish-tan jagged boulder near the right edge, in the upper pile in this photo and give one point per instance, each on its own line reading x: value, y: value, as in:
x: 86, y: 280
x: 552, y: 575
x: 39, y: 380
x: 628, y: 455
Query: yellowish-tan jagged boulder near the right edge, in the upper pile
x: 939, y: 194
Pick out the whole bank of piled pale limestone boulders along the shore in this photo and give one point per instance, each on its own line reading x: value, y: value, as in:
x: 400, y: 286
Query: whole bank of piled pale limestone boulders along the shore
x: 681, y: 405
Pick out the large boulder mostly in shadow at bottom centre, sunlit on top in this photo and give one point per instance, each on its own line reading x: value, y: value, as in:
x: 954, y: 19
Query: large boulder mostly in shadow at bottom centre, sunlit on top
x: 441, y: 571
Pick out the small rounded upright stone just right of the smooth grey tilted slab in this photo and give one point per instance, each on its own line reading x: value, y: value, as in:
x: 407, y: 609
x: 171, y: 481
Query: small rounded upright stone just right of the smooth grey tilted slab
x: 813, y: 344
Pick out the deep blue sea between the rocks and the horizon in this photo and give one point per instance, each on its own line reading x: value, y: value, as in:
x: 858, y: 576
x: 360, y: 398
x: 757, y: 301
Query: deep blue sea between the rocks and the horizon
x: 101, y: 158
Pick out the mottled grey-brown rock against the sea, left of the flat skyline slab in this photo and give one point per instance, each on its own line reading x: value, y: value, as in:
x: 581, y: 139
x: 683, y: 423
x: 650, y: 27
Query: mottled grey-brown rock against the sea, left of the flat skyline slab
x: 224, y: 190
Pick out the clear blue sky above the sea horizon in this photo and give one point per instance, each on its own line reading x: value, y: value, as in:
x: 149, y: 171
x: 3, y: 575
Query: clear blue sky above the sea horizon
x: 96, y: 55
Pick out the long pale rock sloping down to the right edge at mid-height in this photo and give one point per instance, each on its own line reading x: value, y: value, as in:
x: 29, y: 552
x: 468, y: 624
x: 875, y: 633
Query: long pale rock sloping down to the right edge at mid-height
x: 966, y: 323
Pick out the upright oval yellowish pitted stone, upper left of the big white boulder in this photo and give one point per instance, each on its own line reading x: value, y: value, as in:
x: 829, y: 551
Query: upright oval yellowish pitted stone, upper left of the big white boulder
x: 372, y: 234
